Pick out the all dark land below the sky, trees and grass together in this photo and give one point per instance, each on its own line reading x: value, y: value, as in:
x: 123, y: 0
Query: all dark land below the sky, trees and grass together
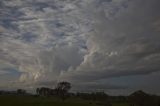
x: 60, y: 96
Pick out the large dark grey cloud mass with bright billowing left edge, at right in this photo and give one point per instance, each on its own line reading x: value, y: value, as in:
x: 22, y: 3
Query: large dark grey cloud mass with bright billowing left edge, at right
x: 123, y: 46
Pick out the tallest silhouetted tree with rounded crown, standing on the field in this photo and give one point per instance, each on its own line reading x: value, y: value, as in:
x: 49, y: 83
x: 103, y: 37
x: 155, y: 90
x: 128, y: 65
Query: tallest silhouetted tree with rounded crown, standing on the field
x: 62, y: 89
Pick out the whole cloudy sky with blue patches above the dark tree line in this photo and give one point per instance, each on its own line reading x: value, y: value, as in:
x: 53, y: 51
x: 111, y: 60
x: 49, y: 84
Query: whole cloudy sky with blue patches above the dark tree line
x: 96, y: 45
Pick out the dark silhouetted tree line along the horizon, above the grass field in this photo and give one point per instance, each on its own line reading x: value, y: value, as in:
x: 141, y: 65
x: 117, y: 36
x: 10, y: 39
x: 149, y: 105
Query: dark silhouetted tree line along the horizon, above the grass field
x: 61, y: 90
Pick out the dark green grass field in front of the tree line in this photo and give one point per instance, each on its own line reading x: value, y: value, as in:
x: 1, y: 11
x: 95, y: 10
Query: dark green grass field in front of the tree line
x: 42, y: 101
